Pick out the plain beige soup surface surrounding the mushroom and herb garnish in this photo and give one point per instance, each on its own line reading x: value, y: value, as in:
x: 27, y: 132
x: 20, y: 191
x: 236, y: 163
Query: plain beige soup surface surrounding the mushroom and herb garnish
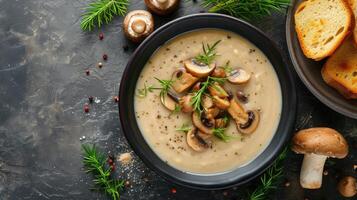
x: 159, y: 125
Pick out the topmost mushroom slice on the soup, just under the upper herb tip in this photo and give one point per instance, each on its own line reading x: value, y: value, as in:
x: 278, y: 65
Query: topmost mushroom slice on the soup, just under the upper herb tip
x: 198, y: 69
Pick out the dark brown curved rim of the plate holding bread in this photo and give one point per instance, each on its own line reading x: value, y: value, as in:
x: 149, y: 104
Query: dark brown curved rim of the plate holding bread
x: 329, y: 103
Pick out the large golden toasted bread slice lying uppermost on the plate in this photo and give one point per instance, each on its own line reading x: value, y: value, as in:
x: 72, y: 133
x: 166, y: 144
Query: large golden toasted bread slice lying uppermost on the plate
x: 322, y: 25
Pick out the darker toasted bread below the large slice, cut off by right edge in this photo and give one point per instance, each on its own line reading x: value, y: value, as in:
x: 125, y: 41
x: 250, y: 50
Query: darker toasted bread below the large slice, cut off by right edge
x: 340, y: 70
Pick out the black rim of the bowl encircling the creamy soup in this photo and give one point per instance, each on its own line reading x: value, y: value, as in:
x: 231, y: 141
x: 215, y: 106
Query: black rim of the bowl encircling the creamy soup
x: 285, y: 128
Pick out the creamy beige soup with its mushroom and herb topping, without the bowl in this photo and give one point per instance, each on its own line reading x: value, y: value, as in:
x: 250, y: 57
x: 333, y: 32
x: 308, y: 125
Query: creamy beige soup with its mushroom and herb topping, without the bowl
x: 211, y: 109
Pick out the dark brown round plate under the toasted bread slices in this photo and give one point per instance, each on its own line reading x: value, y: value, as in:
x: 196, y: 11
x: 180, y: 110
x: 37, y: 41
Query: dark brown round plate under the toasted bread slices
x: 309, y: 72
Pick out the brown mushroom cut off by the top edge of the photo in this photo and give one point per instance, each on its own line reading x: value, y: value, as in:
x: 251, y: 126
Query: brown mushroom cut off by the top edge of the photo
x: 162, y: 7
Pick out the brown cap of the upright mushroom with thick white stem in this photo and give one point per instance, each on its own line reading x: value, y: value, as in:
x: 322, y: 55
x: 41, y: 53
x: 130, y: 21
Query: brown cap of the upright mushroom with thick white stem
x: 320, y: 141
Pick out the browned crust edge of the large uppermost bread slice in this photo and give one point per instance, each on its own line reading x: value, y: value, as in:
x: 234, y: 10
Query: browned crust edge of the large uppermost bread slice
x: 347, y: 32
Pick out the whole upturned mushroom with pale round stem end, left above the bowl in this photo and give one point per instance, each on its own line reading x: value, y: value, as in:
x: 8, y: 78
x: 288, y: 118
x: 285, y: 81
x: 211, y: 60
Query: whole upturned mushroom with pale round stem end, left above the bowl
x: 138, y: 24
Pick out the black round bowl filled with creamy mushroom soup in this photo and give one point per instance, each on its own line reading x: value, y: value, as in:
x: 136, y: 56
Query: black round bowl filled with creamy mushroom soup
x: 207, y: 101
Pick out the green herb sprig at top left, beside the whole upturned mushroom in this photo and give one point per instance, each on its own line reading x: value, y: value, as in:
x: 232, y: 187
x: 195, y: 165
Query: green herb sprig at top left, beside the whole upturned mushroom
x: 102, y: 11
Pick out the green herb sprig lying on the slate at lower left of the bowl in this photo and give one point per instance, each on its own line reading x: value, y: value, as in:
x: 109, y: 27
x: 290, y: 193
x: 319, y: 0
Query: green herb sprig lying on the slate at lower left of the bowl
x: 94, y: 162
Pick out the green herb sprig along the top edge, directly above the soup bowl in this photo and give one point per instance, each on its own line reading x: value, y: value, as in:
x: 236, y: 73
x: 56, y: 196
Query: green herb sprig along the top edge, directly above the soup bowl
x: 246, y: 9
